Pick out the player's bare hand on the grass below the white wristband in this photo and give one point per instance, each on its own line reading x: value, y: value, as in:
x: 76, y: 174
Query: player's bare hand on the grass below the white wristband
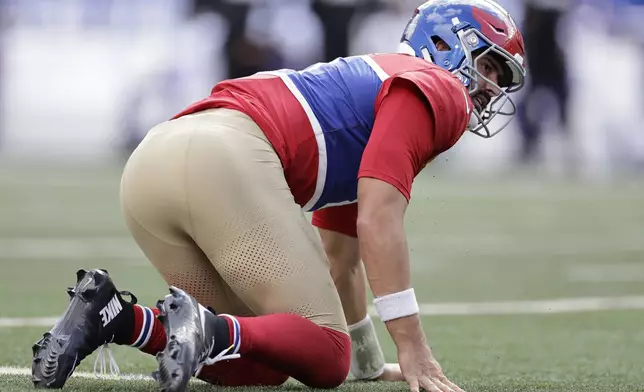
x: 421, y: 370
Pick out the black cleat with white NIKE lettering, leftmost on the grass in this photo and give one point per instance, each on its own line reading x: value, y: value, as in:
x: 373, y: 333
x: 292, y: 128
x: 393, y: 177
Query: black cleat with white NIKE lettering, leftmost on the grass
x: 86, y: 325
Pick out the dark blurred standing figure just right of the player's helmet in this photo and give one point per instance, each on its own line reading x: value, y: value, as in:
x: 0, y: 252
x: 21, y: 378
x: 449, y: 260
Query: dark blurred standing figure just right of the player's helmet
x: 547, y: 72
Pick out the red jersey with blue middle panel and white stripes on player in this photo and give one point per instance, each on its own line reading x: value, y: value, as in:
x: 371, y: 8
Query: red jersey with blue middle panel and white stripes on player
x: 383, y: 116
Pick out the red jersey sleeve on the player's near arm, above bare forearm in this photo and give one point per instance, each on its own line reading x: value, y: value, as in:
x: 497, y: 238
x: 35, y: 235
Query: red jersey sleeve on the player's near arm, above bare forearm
x: 418, y: 115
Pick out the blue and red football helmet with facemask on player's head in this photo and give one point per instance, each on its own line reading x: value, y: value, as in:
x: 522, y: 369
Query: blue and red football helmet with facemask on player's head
x: 471, y: 29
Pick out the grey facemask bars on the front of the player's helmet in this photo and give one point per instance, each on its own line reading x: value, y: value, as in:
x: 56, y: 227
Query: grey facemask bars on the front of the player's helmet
x: 476, y: 45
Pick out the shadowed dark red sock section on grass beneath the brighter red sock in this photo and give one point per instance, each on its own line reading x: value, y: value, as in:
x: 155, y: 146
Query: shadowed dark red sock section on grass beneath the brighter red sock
x: 242, y: 372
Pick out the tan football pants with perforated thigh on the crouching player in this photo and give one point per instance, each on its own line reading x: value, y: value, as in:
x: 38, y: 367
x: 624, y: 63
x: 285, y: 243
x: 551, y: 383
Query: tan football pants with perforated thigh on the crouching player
x: 205, y: 198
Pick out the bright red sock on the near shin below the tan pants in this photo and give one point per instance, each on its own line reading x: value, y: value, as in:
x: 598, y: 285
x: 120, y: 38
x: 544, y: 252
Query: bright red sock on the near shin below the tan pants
x: 318, y: 357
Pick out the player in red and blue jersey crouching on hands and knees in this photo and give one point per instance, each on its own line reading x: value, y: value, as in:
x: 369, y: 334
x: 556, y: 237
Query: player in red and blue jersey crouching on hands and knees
x: 216, y: 197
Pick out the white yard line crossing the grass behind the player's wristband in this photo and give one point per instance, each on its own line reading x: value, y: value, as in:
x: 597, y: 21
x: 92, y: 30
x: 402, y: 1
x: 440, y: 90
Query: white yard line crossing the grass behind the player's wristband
x: 561, y: 305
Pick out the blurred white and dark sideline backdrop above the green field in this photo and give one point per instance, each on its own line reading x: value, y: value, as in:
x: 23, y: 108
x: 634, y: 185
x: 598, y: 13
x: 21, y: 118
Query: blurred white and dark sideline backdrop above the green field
x: 83, y: 79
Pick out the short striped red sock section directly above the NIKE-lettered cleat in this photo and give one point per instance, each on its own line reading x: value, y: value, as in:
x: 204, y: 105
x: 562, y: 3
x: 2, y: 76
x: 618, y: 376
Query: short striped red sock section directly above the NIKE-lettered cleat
x: 148, y: 334
